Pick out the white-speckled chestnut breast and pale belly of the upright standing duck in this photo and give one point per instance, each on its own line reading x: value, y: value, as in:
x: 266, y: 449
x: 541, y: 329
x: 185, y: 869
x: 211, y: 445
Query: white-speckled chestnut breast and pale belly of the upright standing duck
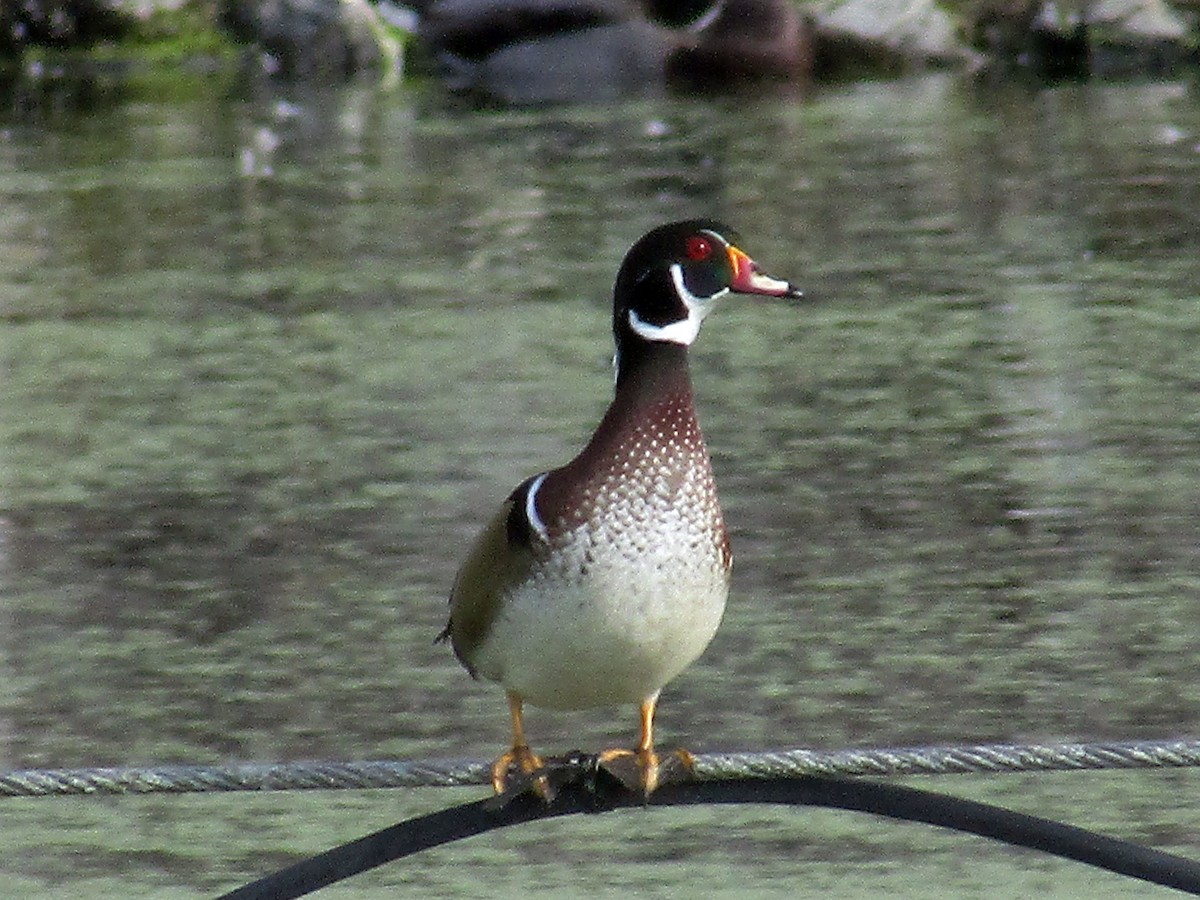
x: 631, y: 584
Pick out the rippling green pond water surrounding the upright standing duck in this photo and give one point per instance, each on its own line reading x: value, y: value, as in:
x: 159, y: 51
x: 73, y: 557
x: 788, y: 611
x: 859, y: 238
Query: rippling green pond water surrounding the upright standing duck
x: 269, y: 362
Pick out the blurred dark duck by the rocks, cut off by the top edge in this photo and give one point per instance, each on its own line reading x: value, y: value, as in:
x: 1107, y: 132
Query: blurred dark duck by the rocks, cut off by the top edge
x: 560, y: 51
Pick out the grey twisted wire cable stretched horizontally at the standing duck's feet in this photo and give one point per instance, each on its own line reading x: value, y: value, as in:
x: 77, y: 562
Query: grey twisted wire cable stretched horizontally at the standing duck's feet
x: 710, y: 767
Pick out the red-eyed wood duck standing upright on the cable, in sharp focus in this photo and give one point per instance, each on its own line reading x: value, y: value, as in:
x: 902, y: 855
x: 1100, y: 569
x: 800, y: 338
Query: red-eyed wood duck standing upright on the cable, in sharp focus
x: 598, y: 583
